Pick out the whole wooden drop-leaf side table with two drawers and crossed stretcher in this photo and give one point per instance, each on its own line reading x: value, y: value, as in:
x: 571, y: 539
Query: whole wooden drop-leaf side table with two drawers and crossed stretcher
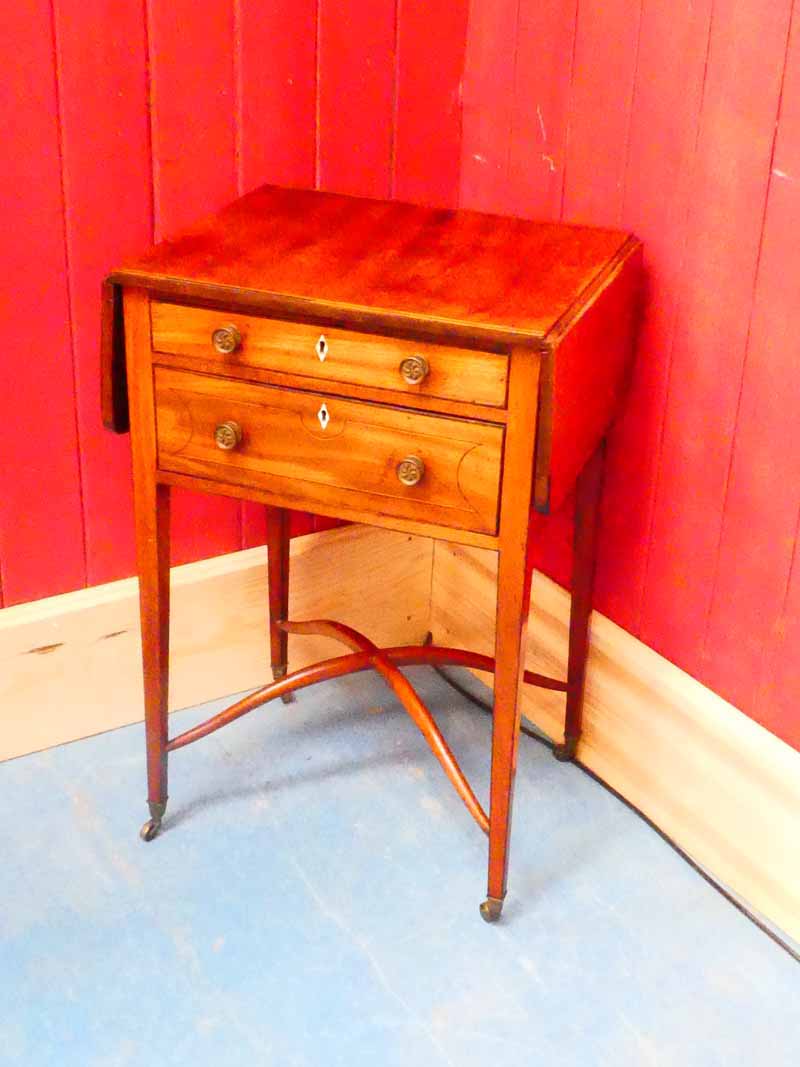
x: 427, y: 371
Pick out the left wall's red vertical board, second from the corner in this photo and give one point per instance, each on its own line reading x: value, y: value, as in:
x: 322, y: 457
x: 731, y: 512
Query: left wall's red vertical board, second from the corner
x: 357, y: 95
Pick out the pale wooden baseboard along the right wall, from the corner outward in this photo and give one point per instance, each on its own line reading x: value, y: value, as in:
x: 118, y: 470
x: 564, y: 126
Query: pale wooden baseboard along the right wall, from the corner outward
x: 719, y: 785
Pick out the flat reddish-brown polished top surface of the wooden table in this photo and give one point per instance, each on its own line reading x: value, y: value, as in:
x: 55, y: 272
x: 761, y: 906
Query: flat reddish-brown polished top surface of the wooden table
x: 385, y: 261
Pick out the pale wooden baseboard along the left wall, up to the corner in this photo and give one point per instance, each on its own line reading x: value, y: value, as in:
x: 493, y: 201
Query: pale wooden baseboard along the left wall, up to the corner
x: 71, y: 665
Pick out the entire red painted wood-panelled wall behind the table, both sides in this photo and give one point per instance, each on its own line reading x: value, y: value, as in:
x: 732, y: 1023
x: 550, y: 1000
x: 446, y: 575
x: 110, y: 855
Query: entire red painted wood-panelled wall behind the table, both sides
x: 678, y: 120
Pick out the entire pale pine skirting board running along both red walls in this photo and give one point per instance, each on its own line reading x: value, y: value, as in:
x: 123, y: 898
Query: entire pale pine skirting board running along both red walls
x: 718, y: 784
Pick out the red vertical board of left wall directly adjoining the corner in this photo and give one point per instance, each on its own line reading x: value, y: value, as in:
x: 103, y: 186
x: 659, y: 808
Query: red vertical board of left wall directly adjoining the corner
x: 430, y: 61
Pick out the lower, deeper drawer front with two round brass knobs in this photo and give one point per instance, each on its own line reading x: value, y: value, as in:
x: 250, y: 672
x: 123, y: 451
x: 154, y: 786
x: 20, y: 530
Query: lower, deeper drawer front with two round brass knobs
x: 322, y: 451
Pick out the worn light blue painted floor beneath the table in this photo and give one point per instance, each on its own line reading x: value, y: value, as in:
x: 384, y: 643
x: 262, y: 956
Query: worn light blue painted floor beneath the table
x: 313, y: 900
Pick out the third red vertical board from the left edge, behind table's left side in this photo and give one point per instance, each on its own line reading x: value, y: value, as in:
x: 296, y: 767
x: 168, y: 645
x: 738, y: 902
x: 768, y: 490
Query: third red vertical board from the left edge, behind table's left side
x: 195, y: 141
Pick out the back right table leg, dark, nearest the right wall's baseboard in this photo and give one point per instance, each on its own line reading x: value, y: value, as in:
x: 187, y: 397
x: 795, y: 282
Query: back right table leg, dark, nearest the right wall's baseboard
x: 585, y: 552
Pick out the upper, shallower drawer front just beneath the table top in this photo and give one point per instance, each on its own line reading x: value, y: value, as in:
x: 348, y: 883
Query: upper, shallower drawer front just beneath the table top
x: 370, y: 360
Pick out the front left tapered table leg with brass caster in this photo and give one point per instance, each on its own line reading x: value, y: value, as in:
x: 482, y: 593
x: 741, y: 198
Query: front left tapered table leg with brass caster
x: 153, y: 550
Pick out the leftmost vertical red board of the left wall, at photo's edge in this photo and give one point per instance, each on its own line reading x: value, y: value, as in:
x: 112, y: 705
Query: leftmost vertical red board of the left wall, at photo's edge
x: 42, y: 548
